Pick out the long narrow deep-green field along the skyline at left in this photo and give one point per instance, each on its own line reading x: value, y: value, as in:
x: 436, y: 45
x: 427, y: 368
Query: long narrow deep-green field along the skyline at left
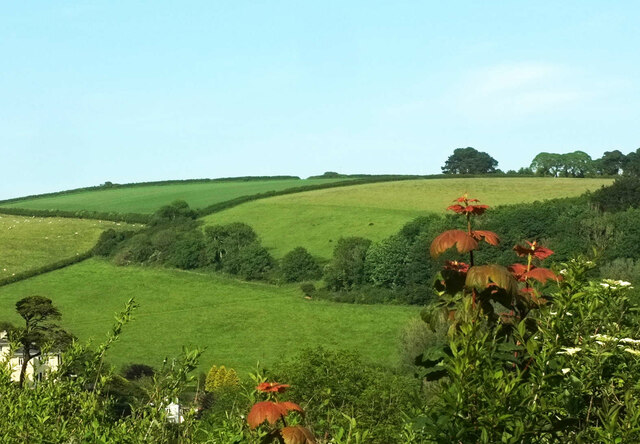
x: 148, y: 198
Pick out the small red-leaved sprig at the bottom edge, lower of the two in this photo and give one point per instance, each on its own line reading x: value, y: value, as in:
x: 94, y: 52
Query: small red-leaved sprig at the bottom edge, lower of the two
x: 272, y: 411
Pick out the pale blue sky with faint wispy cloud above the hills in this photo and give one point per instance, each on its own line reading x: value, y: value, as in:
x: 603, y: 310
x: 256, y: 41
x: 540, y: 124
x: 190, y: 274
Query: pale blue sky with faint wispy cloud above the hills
x: 130, y: 91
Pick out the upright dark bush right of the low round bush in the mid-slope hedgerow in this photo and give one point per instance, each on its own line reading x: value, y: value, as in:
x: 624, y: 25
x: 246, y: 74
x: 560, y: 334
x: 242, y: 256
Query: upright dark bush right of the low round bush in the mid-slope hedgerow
x: 346, y: 269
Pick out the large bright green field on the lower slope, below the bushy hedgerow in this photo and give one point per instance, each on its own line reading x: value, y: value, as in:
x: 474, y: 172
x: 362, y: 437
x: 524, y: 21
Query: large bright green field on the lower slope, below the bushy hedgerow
x: 239, y: 323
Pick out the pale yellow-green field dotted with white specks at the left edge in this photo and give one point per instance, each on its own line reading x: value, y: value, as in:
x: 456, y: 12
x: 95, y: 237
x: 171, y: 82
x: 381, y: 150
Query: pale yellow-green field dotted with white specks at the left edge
x: 31, y: 242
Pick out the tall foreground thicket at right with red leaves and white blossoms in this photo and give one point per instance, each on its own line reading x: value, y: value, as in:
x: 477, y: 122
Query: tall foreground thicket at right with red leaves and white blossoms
x: 547, y: 363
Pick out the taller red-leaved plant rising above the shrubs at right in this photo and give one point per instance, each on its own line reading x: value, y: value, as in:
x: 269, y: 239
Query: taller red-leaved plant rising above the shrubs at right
x: 503, y: 295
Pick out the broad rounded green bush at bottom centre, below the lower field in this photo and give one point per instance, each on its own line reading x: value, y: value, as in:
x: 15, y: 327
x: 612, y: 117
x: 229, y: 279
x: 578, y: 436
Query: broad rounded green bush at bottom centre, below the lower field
x: 339, y: 382
